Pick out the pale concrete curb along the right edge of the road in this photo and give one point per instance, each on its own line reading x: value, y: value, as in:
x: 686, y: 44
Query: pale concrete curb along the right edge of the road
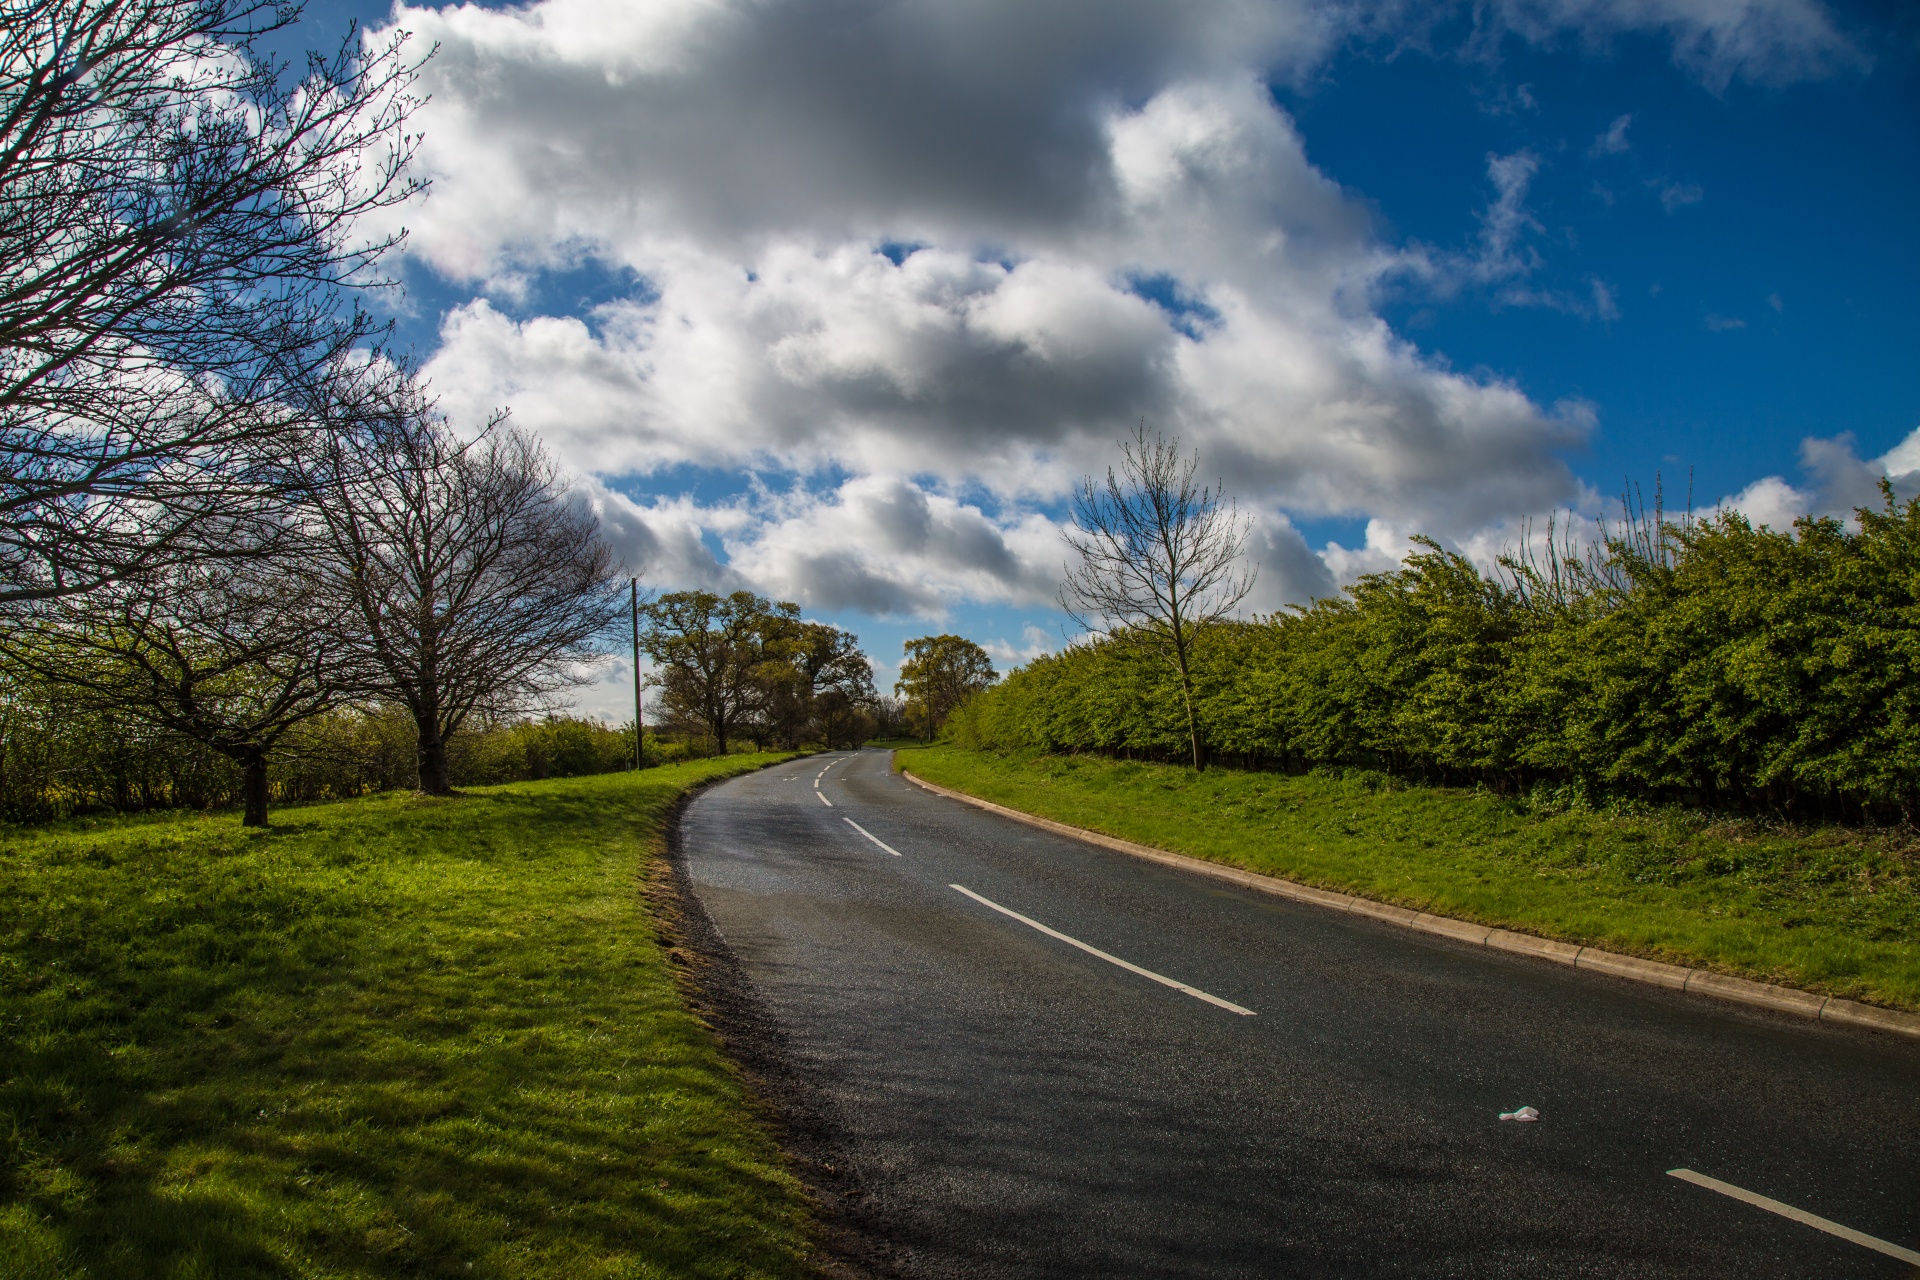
x: 1698, y: 982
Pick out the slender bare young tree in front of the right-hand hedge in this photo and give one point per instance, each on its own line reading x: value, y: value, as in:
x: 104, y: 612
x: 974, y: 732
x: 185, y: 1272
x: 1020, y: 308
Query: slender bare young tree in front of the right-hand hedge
x: 1159, y: 559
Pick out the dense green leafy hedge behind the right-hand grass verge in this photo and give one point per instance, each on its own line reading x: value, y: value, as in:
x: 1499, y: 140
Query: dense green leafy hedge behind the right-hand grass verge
x: 1700, y: 661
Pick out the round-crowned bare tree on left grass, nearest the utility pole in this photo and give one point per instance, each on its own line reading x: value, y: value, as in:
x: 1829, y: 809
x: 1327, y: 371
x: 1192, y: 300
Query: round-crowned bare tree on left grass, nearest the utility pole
x: 466, y: 571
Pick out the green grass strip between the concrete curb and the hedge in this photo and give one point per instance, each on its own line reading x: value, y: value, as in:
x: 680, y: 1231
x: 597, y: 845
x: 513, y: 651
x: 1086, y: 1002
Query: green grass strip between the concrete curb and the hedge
x: 1833, y: 911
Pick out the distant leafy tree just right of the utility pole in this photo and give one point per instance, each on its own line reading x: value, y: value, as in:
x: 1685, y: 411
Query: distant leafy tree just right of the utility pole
x: 709, y: 653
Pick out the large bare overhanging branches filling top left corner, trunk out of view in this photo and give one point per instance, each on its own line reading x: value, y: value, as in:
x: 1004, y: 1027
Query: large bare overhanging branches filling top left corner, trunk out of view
x: 180, y: 245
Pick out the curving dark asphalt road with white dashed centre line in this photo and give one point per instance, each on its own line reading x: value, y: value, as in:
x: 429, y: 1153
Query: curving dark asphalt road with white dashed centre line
x: 1019, y: 1106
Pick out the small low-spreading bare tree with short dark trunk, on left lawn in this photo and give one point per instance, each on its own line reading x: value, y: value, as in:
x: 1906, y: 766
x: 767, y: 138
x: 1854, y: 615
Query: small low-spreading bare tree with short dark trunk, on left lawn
x: 231, y: 655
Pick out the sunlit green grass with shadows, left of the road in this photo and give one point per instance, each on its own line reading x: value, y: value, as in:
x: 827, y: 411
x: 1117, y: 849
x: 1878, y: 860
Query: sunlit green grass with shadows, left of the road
x: 393, y: 1037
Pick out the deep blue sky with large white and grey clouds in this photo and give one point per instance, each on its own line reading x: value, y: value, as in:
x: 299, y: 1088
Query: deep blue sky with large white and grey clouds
x: 838, y: 298
